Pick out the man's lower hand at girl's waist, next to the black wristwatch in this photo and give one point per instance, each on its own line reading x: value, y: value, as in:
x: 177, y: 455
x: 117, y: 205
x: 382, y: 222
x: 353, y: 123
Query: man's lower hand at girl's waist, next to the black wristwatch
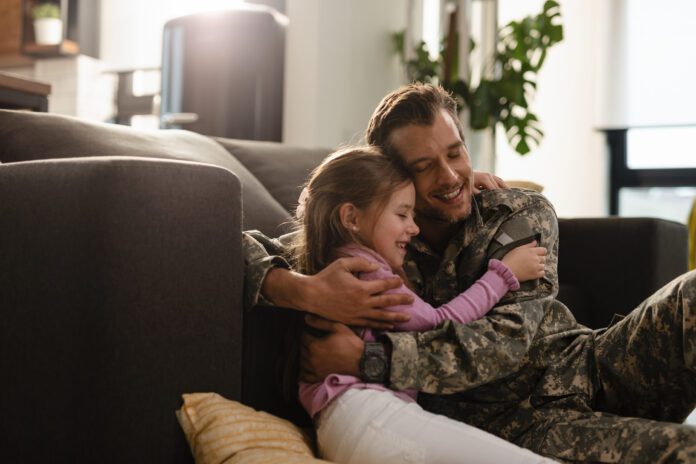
x: 339, y: 352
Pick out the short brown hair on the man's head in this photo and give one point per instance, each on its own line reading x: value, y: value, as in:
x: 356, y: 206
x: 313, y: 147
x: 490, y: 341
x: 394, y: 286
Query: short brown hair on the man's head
x: 415, y: 103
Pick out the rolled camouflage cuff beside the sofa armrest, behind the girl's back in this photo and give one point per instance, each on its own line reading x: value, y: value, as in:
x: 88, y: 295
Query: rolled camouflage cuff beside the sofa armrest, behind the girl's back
x: 261, y: 254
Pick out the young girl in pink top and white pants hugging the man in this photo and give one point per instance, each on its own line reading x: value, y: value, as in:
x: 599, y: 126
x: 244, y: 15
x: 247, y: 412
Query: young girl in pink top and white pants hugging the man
x: 358, y: 203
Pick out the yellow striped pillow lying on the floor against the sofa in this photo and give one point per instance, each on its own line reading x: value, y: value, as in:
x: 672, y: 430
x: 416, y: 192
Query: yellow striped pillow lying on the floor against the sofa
x: 224, y: 431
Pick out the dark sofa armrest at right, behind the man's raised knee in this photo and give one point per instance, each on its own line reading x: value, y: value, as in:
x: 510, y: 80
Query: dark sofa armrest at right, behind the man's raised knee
x: 610, y: 265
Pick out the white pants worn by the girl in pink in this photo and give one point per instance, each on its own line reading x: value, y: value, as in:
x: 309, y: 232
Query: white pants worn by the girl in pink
x: 371, y: 426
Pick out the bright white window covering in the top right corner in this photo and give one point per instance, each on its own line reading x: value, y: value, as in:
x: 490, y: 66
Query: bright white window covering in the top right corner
x: 650, y: 64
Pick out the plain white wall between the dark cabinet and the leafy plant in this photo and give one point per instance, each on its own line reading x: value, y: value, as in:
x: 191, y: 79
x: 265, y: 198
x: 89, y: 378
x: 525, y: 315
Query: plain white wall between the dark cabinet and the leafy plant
x: 339, y: 64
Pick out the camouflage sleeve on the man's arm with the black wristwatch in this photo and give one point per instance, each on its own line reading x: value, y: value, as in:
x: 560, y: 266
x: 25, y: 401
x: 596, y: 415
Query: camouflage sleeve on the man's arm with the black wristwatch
x: 457, y: 357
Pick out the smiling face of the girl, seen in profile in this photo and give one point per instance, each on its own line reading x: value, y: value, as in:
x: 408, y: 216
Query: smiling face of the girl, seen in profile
x: 388, y: 230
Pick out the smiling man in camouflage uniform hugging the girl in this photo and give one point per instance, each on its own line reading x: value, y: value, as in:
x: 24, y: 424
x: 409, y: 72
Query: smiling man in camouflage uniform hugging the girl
x: 527, y: 372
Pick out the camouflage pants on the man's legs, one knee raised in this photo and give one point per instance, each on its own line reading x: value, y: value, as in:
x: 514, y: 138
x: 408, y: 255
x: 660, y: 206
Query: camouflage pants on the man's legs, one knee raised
x: 644, y: 377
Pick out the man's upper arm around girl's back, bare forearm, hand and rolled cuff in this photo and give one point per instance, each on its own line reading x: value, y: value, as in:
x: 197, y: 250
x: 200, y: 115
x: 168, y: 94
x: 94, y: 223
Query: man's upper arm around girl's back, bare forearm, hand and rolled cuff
x: 334, y: 293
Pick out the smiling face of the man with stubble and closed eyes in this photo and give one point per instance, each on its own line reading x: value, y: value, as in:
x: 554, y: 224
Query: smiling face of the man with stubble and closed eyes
x: 440, y: 166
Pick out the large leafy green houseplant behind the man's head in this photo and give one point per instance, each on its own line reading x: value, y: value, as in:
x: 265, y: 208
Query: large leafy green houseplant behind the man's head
x: 503, y: 98
